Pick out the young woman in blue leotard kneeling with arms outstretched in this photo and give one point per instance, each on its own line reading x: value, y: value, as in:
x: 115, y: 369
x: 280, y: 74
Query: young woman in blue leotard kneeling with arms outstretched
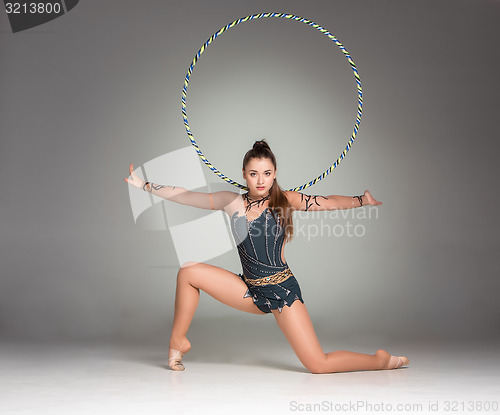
x: 261, y: 222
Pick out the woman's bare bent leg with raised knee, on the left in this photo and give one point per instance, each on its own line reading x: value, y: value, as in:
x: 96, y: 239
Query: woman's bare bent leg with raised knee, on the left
x: 223, y: 285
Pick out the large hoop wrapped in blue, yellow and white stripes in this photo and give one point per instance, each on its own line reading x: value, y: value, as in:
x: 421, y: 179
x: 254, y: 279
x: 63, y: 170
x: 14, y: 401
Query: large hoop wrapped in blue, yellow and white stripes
x: 286, y: 16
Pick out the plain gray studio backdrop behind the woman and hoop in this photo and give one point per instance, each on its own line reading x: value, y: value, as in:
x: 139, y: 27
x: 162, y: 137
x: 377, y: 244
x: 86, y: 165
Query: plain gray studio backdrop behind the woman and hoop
x: 87, y: 94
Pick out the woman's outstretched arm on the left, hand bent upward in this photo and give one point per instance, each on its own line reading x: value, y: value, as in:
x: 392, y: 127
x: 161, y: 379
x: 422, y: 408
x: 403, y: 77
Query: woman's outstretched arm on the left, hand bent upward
x: 213, y: 201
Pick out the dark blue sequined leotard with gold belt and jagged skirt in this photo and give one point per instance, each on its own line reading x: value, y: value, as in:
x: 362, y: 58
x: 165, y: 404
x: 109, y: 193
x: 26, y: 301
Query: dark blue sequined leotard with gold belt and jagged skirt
x: 260, y: 244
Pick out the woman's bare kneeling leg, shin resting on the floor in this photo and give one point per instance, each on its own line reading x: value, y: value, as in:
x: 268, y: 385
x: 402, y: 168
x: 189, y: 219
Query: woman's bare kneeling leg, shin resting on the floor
x: 297, y: 327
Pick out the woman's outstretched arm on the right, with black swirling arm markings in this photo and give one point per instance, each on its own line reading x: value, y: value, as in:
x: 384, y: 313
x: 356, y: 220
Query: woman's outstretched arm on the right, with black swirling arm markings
x: 301, y: 201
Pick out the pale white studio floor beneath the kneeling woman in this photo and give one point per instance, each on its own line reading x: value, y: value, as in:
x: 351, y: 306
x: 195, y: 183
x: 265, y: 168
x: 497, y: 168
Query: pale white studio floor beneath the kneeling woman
x: 84, y: 378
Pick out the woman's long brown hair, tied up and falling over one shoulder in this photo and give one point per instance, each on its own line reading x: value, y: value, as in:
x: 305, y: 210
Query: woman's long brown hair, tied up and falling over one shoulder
x: 277, y: 201
